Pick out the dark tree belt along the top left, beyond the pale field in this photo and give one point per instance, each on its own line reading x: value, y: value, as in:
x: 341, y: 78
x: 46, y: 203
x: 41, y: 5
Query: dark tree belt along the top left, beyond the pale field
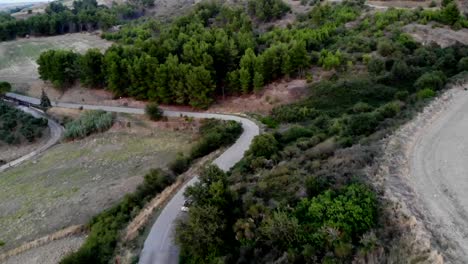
x: 85, y: 15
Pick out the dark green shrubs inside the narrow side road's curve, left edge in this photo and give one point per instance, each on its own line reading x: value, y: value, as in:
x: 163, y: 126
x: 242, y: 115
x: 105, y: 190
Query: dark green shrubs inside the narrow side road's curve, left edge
x: 17, y: 127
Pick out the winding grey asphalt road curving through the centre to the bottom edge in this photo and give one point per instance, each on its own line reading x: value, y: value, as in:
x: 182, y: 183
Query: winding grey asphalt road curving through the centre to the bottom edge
x: 159, y: 247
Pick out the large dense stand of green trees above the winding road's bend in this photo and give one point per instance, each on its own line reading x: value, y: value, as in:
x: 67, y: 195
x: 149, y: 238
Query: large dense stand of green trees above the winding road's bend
x: 211, y: 52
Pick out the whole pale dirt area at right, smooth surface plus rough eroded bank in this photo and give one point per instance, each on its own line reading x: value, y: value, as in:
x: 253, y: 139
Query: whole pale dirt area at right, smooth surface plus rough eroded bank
x: 424, y: 171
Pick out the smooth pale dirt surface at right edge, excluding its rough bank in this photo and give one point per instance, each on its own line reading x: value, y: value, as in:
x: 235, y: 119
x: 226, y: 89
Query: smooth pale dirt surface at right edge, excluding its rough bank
x: 439, y: 175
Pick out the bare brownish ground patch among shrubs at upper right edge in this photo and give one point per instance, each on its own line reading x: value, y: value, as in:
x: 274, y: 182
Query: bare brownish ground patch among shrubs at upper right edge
x: 442, y: 35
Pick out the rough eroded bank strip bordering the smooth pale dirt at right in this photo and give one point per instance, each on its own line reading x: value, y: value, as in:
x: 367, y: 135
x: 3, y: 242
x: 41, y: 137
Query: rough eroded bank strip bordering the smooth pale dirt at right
x: 405, y: 209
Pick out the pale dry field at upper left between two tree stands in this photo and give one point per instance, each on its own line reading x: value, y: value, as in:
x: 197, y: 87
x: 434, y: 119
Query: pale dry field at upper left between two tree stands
x: 18, y: 64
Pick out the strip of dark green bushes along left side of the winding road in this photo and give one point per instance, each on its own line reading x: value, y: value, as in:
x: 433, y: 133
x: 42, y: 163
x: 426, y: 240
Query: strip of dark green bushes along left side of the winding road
x: 105, y: 228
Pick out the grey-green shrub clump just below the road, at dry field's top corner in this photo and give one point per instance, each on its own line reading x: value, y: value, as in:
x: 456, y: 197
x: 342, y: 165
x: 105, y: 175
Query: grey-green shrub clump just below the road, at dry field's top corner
x: 88, y: 123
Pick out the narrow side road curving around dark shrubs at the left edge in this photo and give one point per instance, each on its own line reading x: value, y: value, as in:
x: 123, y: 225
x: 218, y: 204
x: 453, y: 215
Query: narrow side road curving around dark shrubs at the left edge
x: 55, y: 134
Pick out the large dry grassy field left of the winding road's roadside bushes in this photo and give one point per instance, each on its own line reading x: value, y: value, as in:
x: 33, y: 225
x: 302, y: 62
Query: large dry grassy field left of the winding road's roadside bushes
x: 75, y: 180
